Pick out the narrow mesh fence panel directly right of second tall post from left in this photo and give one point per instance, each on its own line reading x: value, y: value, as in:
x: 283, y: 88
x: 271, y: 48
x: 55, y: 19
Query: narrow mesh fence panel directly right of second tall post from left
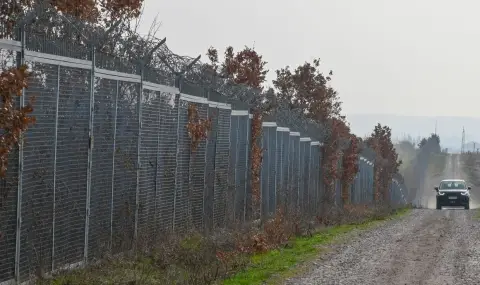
x: 104, y: 113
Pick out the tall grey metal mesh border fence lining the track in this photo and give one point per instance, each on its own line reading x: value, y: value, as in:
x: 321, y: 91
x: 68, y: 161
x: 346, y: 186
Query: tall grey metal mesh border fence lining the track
x: 109, y: 162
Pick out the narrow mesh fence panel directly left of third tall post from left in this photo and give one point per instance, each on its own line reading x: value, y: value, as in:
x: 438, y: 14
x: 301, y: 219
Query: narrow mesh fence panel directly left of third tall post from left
x: 125, y: 169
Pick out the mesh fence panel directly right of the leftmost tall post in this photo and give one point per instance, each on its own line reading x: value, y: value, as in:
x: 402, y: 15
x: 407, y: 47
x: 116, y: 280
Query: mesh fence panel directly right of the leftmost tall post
x: 38, y: 173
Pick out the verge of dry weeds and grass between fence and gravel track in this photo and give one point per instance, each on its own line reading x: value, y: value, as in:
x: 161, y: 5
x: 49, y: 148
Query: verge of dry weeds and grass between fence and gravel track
x: 268, y: 253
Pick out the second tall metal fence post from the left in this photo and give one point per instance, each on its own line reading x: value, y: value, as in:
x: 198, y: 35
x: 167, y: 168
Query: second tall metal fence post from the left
x: 90, y: 155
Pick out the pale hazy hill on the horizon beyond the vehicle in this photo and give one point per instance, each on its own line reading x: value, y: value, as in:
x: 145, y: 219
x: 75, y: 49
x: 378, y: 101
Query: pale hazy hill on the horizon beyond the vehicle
x: 448, y: 128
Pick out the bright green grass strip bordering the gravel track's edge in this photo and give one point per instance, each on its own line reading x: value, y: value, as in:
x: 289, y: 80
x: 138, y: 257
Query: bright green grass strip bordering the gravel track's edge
x: 276, y: 265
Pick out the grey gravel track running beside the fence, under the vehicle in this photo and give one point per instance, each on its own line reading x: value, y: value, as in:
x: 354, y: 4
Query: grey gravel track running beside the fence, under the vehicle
x: 426, y: 247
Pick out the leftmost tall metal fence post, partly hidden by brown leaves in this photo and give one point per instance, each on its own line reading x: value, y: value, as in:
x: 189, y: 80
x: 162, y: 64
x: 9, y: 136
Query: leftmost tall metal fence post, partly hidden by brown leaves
x: 20, y: 170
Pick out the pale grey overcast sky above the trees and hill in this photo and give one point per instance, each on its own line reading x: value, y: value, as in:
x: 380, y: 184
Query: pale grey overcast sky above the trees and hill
x: 398, y: 57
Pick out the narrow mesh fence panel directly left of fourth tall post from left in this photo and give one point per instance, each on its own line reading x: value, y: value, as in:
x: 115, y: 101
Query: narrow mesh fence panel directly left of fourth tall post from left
x: 167, y: 161
